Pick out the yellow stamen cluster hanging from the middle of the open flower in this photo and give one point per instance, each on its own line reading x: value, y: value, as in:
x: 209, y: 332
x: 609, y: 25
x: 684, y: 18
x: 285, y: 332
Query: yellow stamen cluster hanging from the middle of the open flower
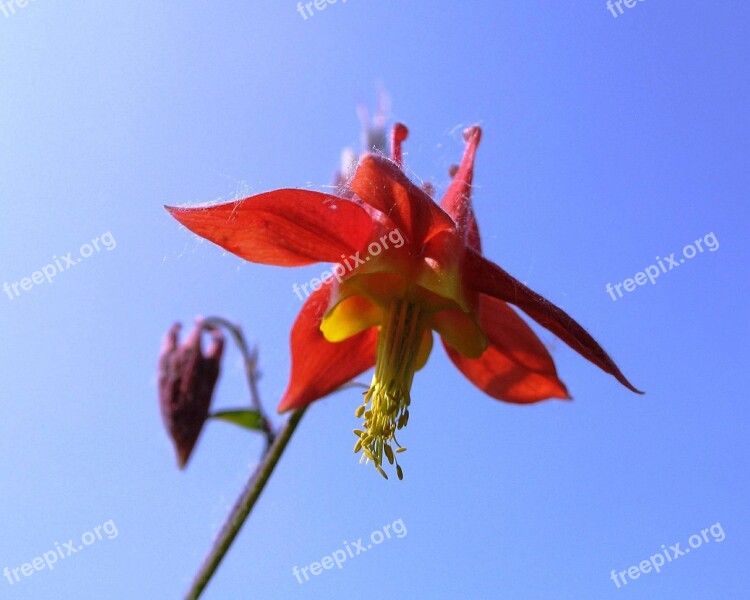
x: 401, y: 351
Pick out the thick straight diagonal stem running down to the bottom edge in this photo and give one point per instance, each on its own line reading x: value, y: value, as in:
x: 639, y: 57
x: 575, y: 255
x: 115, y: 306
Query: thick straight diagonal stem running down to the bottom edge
x: 245, y: 503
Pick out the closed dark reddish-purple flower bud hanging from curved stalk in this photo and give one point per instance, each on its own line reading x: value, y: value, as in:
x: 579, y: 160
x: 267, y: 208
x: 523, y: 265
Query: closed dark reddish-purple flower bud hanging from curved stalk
x: 187, y: 379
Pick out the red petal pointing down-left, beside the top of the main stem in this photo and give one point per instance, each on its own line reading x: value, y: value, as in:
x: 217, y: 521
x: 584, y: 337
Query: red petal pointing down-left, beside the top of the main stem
x: 320, y: 366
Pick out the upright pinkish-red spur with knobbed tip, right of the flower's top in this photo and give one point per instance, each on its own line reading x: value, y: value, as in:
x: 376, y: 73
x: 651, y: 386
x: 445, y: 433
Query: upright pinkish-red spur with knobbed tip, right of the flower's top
x: 457, y: 199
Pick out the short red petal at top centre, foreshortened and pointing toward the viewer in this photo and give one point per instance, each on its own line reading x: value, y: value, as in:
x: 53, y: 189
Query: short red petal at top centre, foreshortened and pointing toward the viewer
x: 381, y: 184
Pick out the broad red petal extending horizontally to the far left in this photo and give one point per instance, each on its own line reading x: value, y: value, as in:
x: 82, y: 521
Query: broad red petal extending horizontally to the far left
x: 285, y: 227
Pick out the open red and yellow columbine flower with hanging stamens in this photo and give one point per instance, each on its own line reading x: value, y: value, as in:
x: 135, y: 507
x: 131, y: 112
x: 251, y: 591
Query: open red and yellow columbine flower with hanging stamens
x: 404, y: 267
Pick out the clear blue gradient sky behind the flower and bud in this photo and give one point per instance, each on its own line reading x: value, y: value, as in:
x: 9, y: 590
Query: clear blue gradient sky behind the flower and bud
x: 607, y: 142
